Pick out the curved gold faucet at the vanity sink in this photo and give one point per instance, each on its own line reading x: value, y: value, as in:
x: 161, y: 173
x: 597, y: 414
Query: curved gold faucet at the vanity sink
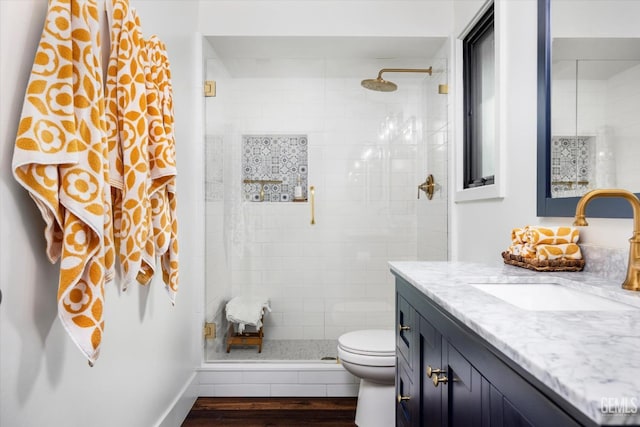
x: 632, y: 282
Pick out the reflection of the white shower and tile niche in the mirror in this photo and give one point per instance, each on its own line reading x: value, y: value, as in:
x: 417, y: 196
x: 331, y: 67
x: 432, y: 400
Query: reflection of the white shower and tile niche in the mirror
x: 595, y: 104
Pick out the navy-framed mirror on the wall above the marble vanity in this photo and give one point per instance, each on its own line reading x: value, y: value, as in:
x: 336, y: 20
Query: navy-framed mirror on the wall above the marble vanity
x: 588, y: 78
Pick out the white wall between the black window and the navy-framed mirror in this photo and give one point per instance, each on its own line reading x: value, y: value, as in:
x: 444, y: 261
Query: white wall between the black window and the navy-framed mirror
x: 481, y: 229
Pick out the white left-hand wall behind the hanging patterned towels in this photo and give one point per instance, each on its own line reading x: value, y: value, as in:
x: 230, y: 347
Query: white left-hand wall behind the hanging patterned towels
x: 149, y: 349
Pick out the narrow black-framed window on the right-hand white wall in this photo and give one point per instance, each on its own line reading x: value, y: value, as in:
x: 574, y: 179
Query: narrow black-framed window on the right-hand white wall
x: 479, y: 103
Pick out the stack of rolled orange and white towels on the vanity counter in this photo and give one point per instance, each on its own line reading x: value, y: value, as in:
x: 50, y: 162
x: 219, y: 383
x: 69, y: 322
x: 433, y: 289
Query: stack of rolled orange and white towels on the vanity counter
x: 545, y: 243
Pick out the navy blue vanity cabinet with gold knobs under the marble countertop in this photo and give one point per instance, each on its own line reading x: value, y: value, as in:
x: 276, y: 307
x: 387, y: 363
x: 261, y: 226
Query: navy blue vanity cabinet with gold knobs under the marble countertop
x: 448, y: 376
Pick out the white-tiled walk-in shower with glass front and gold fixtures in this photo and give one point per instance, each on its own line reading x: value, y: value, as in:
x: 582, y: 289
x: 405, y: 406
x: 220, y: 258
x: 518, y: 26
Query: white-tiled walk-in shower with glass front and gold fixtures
x: 293, y: 112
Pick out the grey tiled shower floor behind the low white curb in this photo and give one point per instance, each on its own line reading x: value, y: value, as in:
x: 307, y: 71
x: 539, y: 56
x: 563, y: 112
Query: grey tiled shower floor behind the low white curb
x: 289, y: 350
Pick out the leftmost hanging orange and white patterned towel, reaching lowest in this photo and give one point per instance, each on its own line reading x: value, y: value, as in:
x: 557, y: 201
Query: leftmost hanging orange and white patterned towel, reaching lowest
x: 60, y: 158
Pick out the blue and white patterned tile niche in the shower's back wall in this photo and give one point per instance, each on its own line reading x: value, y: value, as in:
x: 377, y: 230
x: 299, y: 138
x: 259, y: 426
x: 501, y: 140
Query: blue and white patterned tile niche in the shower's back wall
x: 272, y: 166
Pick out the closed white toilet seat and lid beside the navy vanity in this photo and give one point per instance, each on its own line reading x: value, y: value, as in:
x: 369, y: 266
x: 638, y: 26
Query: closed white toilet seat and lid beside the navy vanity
x: 371, y: 347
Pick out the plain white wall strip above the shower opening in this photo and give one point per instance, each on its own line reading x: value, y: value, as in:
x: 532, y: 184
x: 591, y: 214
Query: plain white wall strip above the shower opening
x: 326, y: 17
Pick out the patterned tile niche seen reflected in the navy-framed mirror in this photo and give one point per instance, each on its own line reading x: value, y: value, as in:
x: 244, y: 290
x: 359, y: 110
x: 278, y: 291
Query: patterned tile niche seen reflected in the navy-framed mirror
x: 571, y: 165
